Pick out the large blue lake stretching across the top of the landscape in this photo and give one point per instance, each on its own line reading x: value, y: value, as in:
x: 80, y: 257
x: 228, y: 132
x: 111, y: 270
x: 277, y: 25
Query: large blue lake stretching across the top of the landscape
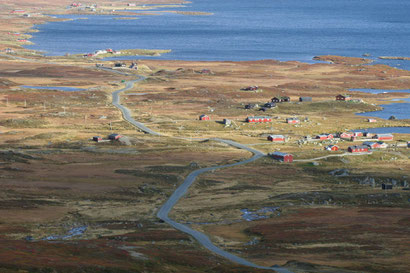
x: 246, y: 30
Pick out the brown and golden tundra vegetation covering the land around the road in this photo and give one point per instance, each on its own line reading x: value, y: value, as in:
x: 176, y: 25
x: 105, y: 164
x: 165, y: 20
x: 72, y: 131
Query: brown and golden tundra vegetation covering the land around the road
x: 69, y: 204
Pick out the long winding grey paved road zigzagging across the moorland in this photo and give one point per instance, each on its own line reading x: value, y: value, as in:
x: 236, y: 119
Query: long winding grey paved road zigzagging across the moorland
x: 183, y: 188
